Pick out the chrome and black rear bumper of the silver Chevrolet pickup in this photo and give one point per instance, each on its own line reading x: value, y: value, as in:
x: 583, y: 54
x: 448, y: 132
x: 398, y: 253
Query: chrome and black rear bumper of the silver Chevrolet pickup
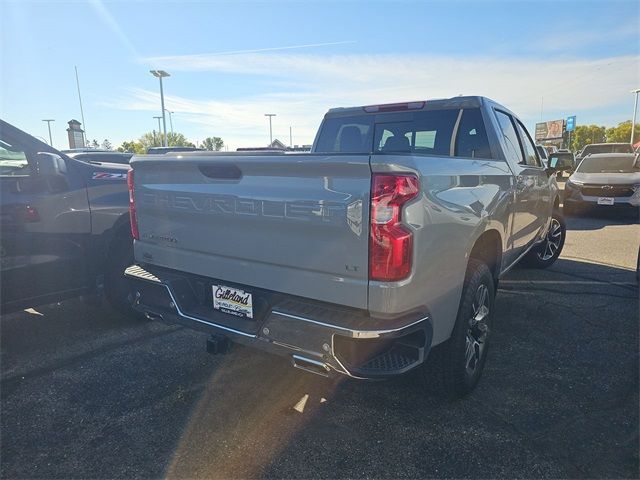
x: 318, y: 337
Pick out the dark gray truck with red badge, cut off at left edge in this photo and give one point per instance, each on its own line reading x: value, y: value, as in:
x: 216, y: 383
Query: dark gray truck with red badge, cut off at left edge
x: 64, y: 225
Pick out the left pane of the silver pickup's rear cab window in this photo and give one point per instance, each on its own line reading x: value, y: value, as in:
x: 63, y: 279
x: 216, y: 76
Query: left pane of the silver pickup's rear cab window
x: 346, y: 135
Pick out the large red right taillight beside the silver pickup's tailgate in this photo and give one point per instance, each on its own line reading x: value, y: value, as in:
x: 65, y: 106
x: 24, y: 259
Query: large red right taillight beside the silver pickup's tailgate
x: 391, y: 244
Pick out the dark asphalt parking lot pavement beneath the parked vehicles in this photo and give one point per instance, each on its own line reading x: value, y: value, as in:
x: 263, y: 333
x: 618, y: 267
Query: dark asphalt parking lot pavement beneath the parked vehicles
x: 89, y: 394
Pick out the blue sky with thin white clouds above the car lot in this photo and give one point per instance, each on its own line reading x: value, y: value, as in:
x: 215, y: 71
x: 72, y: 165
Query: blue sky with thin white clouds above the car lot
x: 297, y: 59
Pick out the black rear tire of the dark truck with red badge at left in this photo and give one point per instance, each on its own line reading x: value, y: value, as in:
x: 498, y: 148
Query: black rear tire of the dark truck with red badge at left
x: 116, y: 286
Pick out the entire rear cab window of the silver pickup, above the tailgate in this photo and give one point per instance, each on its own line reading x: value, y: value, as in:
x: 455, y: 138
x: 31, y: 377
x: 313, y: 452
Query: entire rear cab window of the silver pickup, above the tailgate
x: 442, y: 132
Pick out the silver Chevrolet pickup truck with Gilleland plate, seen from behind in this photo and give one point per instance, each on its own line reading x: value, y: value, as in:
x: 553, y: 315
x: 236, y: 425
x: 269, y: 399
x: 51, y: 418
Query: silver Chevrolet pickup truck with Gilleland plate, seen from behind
x: 383, y: 245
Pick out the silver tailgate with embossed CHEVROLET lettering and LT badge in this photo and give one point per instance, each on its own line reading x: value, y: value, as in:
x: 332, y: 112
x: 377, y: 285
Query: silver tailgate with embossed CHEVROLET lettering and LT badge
x: 296, y: 224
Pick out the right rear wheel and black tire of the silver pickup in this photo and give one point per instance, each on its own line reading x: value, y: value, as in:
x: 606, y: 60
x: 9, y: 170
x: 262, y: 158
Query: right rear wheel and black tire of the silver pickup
x: 452, y: 370
